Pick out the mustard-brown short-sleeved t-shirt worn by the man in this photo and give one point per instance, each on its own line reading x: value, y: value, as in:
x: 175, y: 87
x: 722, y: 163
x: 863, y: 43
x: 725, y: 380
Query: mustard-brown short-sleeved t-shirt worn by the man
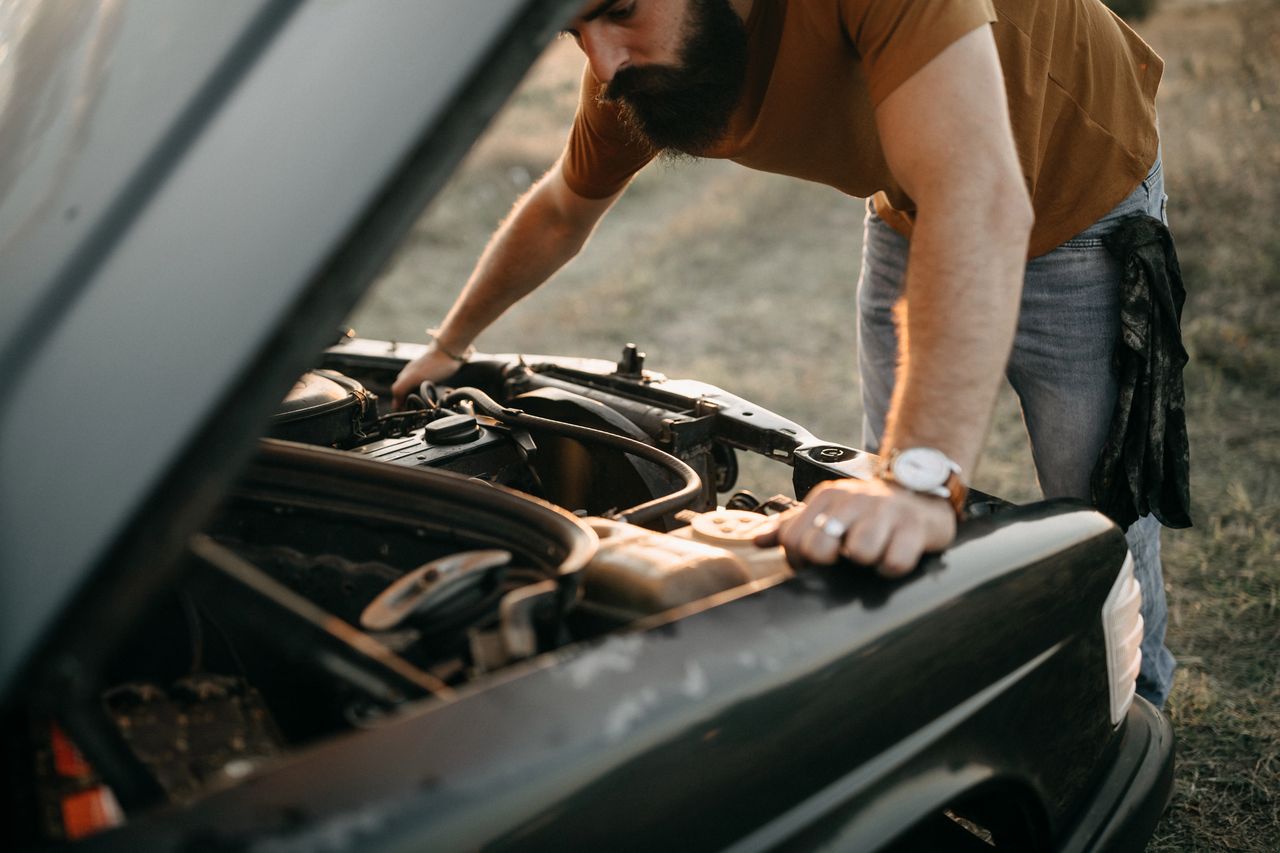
x: 1081, y: 89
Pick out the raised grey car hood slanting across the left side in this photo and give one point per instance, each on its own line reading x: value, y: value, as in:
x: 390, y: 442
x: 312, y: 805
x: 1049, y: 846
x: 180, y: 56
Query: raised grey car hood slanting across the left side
x: 191, y: 199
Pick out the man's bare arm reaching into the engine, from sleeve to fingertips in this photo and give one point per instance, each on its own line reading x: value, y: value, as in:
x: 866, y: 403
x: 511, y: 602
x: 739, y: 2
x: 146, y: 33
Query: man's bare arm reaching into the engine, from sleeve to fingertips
x: 547, y: 227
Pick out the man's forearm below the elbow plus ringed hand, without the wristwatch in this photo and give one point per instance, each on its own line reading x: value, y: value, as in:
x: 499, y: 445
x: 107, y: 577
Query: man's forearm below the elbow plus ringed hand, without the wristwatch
x: 959, y: 317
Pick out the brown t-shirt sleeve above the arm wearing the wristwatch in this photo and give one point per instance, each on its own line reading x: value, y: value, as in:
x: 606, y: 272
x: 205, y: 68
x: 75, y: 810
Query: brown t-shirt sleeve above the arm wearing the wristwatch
x: 895, y: 39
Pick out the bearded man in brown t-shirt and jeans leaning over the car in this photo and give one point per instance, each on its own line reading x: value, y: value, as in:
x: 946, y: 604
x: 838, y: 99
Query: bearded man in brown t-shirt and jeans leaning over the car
x: 985, y: 133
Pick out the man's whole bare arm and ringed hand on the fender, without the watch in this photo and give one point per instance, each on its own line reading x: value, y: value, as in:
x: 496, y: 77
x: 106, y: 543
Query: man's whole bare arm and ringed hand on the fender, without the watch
x: 949, y: 142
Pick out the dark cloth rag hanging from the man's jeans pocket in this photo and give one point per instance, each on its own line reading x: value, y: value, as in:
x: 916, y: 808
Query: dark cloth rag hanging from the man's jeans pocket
x: 1145, y: 466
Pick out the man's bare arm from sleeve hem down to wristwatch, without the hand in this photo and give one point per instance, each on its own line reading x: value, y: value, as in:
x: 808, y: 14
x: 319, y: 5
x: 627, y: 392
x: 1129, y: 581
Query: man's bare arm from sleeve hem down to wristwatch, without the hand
x: 949, y: 142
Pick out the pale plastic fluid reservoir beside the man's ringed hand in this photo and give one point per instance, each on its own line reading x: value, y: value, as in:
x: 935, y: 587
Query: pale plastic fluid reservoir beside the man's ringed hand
x: 646, y: 573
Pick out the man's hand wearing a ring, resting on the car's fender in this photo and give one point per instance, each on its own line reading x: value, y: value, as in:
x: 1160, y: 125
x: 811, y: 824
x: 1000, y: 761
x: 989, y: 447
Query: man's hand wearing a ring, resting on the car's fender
x: 872, y: 523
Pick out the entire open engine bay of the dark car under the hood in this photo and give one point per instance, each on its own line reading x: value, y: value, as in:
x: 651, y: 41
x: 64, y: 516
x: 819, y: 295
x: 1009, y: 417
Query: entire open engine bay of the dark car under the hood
x: 369, y: 560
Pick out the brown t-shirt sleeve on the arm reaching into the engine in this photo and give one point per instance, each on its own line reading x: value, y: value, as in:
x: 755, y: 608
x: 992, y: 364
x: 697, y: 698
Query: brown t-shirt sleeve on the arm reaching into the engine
x: 602, y: 153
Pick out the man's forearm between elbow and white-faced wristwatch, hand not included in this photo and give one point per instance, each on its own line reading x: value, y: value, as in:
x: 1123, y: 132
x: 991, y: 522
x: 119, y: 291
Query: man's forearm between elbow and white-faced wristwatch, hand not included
x: 958, y: 318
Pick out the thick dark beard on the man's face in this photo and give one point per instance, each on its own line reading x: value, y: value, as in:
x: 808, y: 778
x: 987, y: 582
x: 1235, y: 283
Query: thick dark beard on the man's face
x: 687, y: 108
